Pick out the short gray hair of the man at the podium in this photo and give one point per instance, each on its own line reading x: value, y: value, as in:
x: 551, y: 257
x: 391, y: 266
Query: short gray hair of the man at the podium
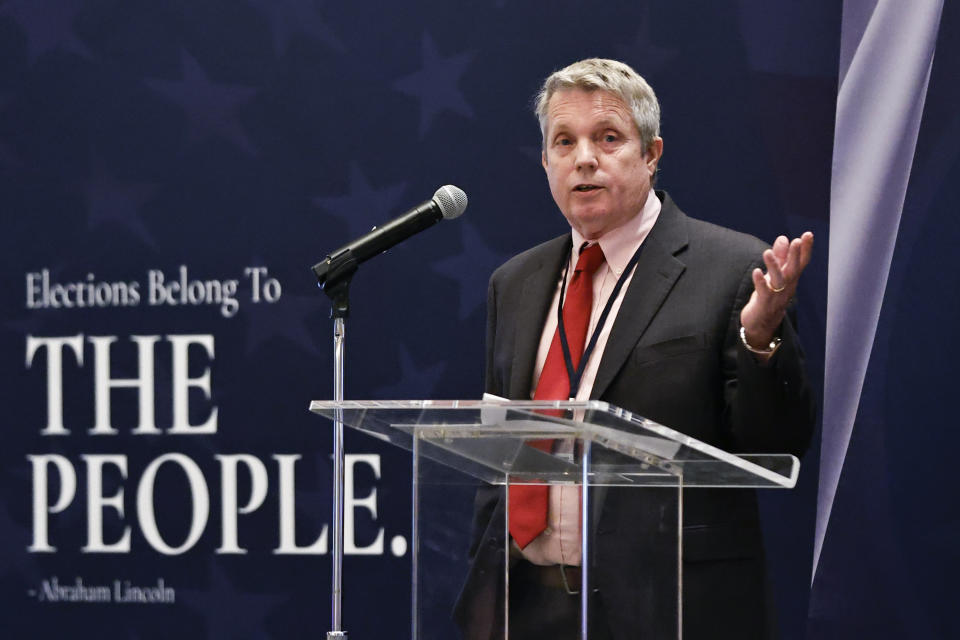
x: 614, y: 77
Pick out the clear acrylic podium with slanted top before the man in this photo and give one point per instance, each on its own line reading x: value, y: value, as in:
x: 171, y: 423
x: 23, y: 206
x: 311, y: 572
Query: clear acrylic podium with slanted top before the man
x: 464, y: 454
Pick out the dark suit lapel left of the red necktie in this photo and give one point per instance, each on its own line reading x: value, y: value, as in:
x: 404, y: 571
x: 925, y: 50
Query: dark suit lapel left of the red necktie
x: 536, y: 296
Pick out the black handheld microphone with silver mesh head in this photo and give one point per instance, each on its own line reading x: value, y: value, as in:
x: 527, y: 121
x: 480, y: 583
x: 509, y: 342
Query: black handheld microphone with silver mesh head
x: 447, y: 203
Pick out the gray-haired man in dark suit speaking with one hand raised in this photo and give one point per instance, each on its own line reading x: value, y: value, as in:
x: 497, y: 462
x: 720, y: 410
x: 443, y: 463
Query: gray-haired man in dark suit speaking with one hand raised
x: 696, y: 337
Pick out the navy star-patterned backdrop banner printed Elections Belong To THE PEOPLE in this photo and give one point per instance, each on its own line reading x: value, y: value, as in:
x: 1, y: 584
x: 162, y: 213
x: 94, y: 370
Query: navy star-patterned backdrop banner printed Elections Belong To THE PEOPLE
x: 169, y: 171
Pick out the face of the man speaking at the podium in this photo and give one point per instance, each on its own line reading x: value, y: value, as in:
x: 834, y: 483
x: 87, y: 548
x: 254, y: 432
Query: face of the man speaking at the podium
x: 598, y: 170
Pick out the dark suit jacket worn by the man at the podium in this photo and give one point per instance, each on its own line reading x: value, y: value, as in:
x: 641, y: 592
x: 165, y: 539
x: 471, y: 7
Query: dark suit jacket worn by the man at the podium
x: 674, y: 356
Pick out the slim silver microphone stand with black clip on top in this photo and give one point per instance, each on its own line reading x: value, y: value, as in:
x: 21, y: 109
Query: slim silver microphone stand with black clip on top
x: 334, y: 275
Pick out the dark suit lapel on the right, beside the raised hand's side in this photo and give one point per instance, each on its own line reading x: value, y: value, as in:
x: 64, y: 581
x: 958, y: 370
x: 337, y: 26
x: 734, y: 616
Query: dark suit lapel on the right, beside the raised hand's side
x: 654, y: 277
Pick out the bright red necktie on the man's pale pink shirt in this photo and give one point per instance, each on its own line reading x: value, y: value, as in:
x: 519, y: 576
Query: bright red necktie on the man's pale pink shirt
x: 528, y: 503
